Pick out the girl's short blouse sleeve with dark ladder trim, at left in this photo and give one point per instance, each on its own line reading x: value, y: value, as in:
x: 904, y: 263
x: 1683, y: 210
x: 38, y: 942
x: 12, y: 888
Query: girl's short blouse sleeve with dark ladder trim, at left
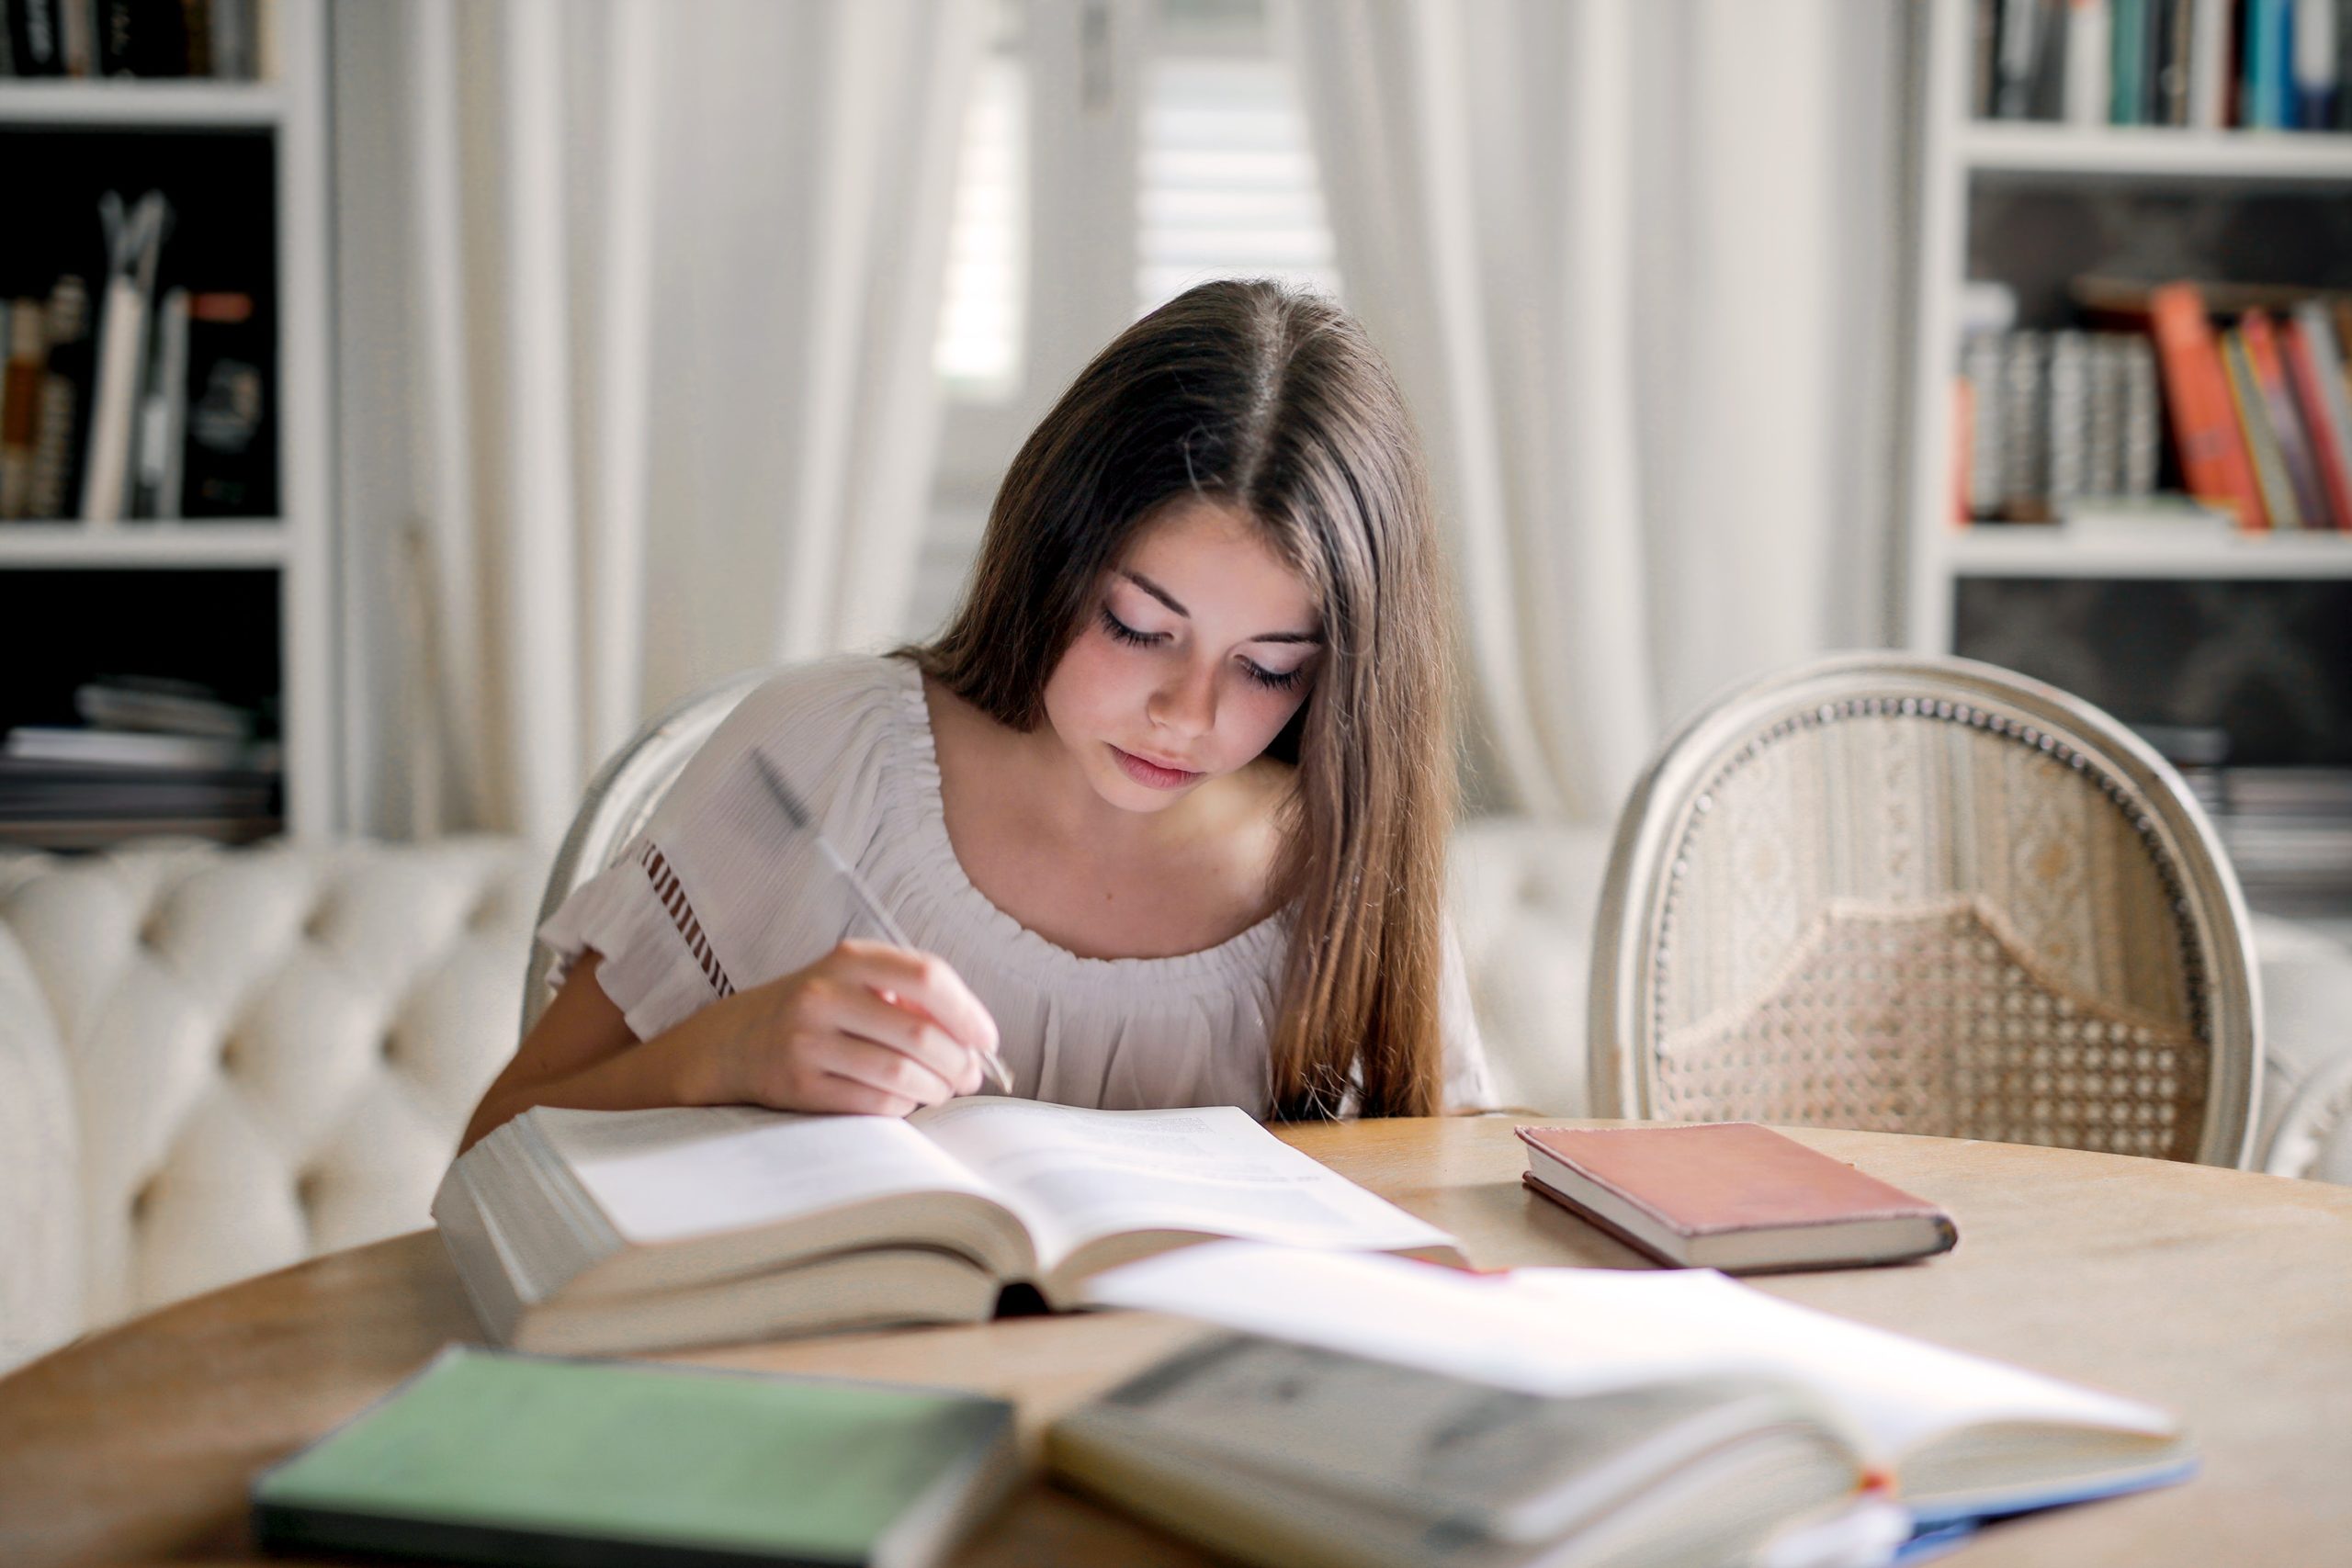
x: 719, y: 892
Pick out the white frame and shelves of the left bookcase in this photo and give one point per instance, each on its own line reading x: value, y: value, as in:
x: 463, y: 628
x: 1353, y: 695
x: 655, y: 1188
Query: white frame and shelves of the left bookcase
x: 298, y: 547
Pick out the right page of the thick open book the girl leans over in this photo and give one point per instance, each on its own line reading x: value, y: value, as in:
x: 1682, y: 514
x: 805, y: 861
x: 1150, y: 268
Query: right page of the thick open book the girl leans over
x: 1083, y: 1174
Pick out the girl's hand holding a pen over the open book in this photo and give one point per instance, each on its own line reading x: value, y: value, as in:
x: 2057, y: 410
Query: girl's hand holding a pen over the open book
x: 867, y: 1028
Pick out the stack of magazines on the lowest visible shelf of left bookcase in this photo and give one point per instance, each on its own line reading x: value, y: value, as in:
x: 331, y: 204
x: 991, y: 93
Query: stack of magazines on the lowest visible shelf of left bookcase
x: 149, y: 758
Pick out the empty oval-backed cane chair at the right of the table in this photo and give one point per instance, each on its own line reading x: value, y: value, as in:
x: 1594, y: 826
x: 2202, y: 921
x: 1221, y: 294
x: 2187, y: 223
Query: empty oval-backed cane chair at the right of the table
x: 1925, y: 897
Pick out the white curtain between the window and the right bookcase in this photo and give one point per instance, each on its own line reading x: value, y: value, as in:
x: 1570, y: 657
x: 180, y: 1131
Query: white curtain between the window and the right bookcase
x: 1636, y: 269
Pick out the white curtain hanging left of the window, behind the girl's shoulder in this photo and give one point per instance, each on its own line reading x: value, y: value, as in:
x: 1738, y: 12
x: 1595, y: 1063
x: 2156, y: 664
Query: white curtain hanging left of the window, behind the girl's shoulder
x: 641, y: 366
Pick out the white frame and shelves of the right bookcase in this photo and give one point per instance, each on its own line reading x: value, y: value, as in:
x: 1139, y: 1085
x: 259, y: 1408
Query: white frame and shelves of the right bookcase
x: 1956, y: 154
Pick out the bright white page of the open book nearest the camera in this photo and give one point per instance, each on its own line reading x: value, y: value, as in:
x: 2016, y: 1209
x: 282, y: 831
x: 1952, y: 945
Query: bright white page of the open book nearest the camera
x: 1575, y: 1332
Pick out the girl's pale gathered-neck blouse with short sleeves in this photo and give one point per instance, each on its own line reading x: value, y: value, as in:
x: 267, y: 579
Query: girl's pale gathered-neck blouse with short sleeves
x: 721, y: 894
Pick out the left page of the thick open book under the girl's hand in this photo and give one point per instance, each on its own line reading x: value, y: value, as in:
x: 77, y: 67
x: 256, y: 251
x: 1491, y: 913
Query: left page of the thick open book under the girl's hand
x: 690, y: 1172
